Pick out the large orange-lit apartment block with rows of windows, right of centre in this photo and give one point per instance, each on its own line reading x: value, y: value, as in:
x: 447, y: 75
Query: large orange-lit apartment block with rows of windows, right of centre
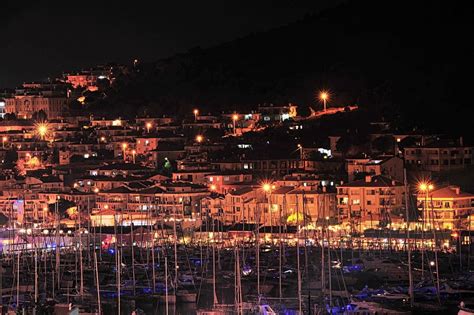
x: 375, y: 201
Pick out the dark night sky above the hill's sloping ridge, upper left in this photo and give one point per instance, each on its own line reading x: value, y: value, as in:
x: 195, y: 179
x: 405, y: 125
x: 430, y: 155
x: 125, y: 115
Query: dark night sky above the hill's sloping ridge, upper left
x: 43, y: 38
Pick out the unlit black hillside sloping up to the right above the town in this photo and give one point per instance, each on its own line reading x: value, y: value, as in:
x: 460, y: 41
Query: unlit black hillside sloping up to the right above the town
x: 408, y: 61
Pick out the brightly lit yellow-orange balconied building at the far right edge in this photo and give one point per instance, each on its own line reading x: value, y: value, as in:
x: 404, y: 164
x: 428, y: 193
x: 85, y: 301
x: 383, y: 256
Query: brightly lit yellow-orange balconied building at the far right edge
x: 447, y: 208
